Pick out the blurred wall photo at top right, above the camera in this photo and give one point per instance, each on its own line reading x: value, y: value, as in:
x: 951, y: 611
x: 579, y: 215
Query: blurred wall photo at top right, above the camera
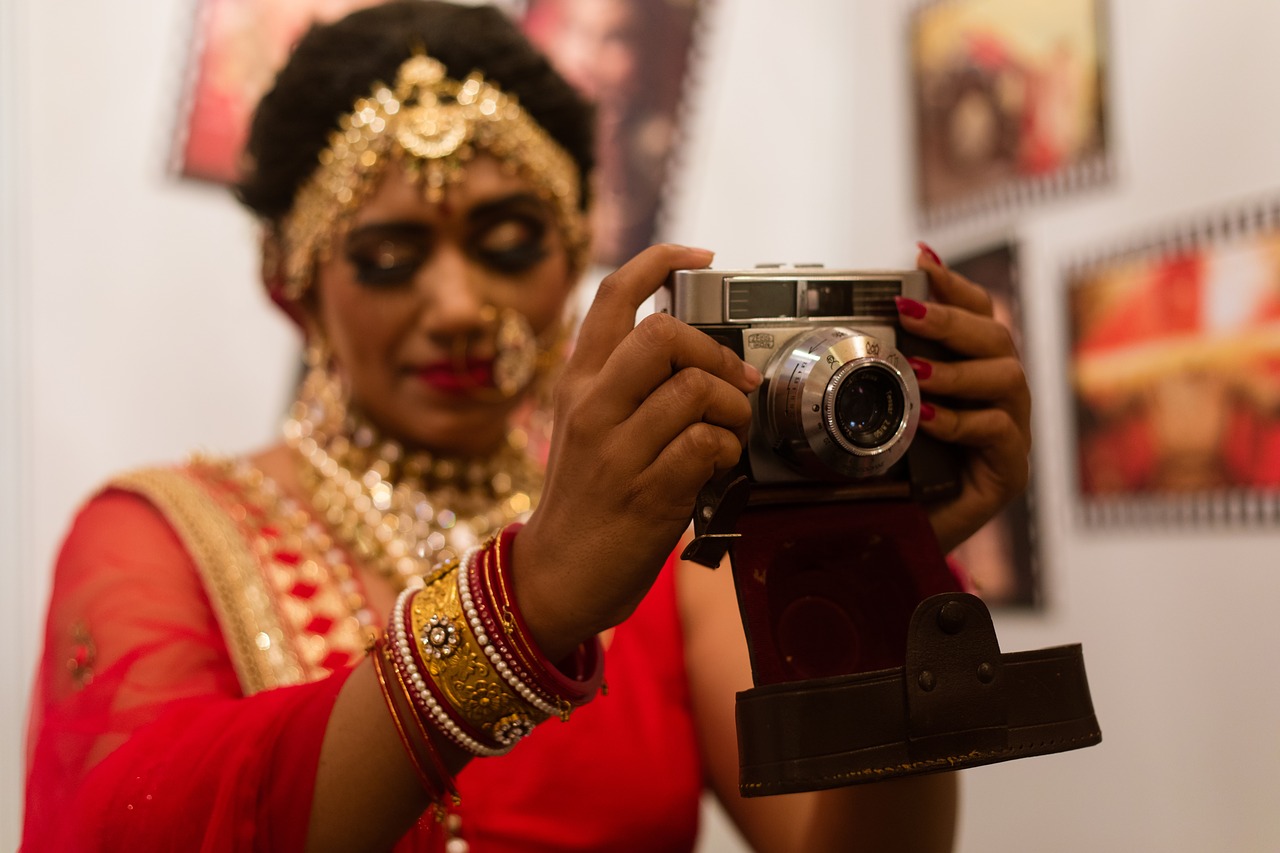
x: 1009, y: 103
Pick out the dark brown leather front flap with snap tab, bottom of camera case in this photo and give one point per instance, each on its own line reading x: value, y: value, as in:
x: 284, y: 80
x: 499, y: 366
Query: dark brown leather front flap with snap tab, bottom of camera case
x: 958, y: 703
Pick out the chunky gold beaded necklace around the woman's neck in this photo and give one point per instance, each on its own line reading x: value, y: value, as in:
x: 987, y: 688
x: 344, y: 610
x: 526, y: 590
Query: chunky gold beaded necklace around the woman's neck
x: 401, y: 513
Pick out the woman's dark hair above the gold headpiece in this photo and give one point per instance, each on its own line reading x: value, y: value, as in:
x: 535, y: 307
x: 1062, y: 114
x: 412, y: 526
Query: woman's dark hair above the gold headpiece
x: 339, y: 63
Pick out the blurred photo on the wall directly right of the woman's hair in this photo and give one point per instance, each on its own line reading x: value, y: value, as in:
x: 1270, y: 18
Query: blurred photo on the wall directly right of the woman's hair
x: 632, y: 61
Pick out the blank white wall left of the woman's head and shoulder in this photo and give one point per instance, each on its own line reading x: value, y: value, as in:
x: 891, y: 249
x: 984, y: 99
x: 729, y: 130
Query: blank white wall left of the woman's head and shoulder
x: 139, y: 332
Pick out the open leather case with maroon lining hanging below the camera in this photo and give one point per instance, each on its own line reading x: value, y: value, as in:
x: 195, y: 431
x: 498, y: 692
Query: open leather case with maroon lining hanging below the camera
x: 868, y: 662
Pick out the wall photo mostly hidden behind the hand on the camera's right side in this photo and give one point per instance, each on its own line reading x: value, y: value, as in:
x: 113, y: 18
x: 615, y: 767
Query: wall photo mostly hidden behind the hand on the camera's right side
x: 1003, y: 559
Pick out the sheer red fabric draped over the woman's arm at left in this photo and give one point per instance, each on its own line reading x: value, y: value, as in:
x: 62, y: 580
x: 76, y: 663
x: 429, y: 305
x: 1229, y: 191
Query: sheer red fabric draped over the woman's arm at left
x: 158, y: 750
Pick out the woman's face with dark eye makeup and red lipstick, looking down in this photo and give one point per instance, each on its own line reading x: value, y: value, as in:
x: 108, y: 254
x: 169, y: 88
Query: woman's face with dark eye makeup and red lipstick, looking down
x: 409, y: 297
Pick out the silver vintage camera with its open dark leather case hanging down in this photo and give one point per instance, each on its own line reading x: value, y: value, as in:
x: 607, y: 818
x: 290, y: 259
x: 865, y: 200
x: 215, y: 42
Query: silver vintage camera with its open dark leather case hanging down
x: 867, y: 660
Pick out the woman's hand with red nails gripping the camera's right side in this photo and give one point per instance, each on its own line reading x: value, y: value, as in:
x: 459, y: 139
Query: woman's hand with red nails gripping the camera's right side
x: 989, y: 376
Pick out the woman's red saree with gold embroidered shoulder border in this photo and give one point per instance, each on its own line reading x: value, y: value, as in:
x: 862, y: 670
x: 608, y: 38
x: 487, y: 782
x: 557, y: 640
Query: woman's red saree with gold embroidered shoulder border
x: 193, y: 655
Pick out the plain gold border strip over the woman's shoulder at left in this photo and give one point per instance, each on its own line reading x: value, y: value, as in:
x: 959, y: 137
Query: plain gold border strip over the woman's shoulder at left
x: 243, y: 601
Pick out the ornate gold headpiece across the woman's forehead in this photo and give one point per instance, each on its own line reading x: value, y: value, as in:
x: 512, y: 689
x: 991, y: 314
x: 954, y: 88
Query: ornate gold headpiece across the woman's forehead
x: 435, y: 125
